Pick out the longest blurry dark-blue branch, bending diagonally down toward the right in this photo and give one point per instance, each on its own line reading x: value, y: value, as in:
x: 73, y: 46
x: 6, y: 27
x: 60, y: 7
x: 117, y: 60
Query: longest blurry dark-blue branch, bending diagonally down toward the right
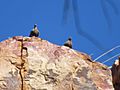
x: 79, y: 29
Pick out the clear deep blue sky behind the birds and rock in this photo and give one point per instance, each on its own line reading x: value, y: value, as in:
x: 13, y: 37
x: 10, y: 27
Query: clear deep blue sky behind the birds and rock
x: 17, y: 17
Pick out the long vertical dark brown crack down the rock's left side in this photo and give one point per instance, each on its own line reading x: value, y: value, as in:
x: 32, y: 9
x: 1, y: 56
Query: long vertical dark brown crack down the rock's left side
x: 22, y: 68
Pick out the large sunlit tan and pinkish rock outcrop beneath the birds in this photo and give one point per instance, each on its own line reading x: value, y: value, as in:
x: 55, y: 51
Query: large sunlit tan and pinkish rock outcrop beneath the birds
x: 36, y: 64
